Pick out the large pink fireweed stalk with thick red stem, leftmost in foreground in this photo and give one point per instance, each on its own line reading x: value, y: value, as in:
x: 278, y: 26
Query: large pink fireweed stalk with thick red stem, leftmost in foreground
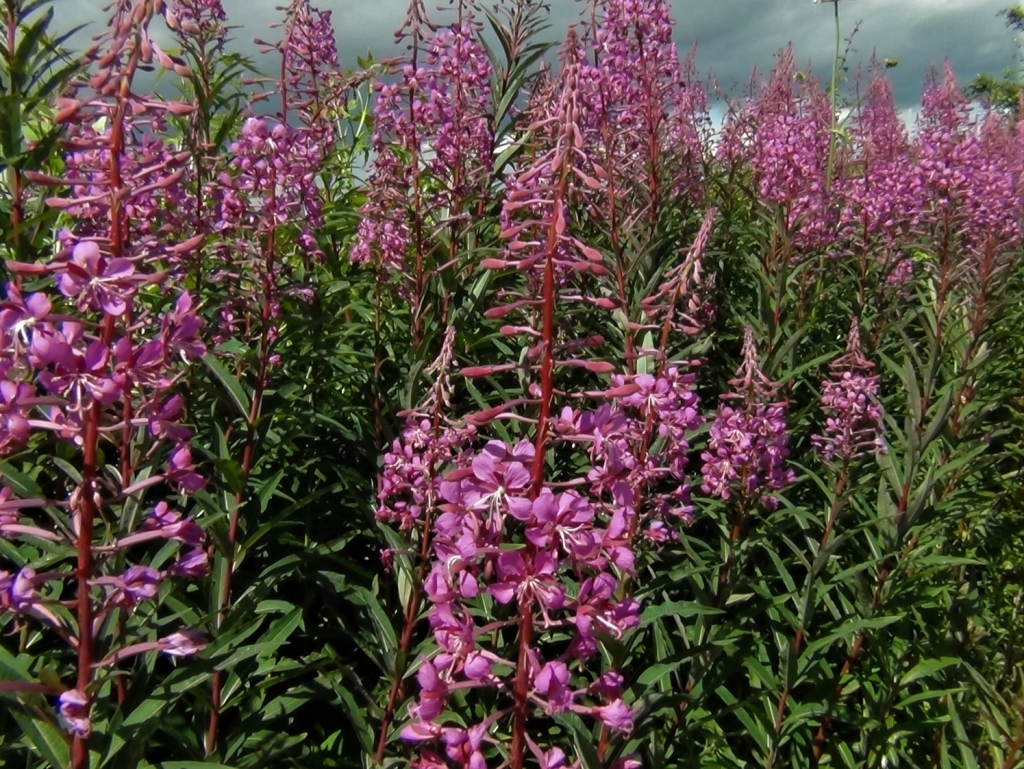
x: 93, y: 357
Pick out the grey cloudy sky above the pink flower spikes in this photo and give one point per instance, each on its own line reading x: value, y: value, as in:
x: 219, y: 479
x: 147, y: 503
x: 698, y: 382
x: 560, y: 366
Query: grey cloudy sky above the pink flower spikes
x: 733, y: 36
